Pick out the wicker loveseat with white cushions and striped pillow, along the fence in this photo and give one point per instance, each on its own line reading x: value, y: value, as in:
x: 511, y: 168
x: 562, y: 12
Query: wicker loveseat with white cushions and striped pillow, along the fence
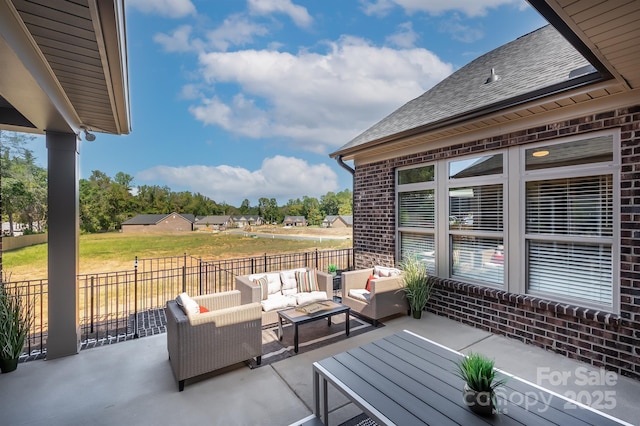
x: 280, y: 285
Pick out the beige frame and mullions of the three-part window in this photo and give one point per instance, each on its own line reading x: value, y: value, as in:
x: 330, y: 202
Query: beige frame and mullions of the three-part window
x: 514, y: 178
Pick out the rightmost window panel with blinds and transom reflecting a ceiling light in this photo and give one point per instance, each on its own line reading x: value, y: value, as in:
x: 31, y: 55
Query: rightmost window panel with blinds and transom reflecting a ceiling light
x: 569, y: 226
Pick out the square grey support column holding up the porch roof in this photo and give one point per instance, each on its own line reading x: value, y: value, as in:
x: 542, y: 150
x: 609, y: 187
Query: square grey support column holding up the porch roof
x: 64, y: 231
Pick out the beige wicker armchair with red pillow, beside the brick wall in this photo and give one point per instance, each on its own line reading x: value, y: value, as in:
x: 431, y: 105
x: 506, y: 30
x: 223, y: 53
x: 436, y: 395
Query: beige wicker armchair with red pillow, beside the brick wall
x: 384, y: 298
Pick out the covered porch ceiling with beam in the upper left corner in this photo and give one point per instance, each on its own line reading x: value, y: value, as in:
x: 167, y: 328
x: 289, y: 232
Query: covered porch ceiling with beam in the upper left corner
x: 64, y: 66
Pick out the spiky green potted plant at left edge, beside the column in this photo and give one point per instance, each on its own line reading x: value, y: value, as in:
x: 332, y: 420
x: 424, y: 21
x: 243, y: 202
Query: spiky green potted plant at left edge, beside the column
x: 15, y: 322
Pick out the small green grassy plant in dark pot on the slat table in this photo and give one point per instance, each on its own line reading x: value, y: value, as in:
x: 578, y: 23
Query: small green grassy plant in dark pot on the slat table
x: 480, y: 382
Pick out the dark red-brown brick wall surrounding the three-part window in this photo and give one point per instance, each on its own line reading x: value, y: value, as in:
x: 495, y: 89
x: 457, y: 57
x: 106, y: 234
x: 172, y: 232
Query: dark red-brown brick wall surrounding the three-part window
x: 599, y: 338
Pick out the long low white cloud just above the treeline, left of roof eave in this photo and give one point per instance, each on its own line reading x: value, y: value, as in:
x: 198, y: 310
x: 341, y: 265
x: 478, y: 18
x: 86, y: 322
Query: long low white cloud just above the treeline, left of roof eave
x: 278, y: 177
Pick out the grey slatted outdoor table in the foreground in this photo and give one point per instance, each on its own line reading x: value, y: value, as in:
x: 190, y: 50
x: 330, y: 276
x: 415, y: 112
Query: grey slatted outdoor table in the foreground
x: 405, y: 379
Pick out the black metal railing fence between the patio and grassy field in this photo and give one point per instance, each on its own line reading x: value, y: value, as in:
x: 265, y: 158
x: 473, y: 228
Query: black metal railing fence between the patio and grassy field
x: 117, y: 306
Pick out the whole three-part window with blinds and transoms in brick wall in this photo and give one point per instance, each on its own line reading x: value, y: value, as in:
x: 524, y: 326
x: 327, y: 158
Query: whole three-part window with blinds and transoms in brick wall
x: 533, y: 219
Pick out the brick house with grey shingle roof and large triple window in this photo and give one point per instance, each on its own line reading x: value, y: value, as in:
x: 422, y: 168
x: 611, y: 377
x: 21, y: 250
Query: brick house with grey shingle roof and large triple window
x: 517, y: 181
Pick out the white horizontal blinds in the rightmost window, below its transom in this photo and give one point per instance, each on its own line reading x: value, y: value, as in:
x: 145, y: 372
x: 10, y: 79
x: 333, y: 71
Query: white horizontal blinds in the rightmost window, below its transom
x: 578, y: 213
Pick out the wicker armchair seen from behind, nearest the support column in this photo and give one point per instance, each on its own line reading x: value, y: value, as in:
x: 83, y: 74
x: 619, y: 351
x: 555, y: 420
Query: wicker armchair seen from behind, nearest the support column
x: 199, y: 343
